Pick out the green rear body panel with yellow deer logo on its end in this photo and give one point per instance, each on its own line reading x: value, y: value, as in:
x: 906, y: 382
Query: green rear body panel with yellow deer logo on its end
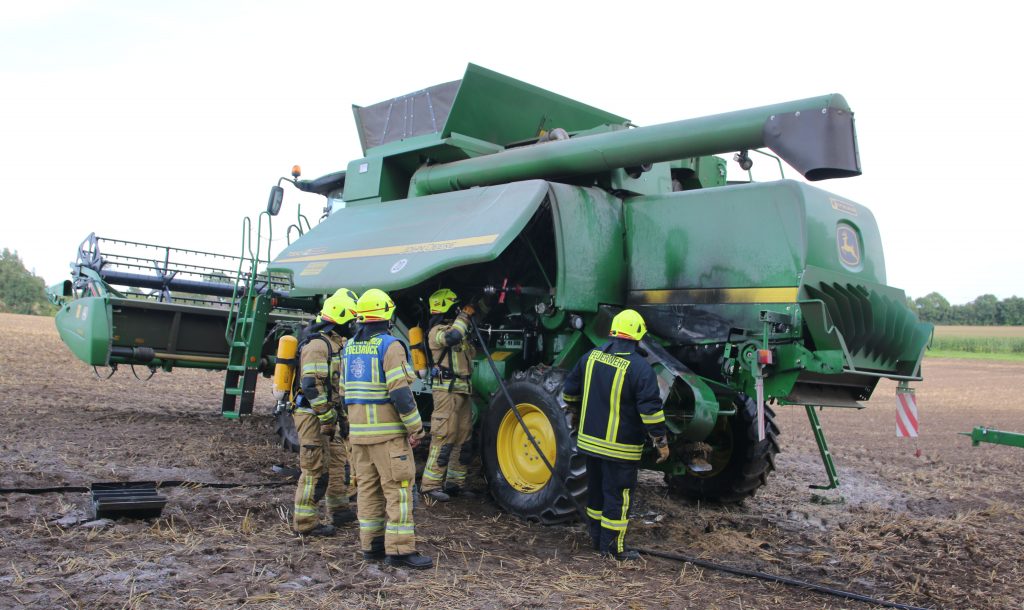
x: 758, y: 236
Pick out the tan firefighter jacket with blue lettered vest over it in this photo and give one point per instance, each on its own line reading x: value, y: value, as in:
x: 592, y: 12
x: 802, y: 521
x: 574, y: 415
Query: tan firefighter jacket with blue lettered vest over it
x: 376, y: 377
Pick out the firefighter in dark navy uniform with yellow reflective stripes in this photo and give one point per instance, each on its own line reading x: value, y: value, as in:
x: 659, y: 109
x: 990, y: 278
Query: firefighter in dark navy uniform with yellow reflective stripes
x: 616, y: 393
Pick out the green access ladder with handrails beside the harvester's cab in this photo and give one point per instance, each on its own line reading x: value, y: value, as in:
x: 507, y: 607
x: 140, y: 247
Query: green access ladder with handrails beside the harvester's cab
x: 246, y: 323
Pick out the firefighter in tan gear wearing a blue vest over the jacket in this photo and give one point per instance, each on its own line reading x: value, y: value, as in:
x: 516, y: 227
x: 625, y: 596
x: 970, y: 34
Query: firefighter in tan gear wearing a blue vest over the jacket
x: 386, y: 426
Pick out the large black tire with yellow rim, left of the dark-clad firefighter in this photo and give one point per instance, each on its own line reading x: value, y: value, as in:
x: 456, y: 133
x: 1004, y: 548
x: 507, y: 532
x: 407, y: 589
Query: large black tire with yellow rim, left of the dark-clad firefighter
x: 517, y: 476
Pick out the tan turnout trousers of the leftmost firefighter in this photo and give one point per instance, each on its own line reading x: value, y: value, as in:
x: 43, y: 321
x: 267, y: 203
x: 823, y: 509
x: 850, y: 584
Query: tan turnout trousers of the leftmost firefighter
x: 316, y: 451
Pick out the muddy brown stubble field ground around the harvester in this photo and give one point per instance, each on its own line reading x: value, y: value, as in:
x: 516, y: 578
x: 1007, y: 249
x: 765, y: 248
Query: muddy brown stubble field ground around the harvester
x: 943, y: 531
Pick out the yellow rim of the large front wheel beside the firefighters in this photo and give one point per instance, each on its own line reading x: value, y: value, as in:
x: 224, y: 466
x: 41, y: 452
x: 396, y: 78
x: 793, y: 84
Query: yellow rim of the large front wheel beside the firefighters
x: 521, y: 464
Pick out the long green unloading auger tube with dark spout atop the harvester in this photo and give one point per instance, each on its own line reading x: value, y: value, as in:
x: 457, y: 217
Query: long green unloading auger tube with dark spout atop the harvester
x: 817, y: 137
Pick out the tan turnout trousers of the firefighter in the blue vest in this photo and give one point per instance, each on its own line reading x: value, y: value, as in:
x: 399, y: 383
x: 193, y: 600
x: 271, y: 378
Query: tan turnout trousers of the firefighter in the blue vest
x: 386, y: 474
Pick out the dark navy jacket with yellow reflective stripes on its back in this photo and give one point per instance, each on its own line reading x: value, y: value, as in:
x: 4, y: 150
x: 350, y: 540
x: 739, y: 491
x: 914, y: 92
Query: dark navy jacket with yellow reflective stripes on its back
x: 617, y: 394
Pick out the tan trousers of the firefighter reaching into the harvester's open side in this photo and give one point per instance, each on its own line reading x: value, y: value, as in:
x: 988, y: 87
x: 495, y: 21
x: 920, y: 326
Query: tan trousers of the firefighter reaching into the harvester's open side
x: 451, y: 442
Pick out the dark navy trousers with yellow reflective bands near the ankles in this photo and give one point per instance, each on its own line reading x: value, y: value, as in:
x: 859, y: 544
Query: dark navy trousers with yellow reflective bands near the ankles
x: 610, y: 490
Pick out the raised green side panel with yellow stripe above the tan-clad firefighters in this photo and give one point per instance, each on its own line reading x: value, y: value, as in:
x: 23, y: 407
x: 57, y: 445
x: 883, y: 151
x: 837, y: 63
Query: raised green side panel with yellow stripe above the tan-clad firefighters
x: 399, y: 244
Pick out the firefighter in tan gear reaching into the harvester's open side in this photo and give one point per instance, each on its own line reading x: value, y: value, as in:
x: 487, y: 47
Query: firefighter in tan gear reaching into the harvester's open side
x: 452, y: 422
